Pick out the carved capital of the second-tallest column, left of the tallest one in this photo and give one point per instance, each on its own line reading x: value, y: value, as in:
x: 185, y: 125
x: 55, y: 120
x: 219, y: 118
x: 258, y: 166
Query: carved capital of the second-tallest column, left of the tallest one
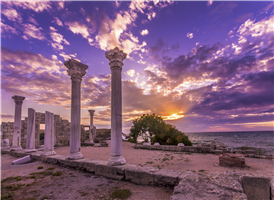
x: 76, y: 70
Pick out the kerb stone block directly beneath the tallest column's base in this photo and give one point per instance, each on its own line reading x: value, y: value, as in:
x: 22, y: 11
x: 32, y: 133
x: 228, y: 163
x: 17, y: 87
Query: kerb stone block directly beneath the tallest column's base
x: 114, y: 172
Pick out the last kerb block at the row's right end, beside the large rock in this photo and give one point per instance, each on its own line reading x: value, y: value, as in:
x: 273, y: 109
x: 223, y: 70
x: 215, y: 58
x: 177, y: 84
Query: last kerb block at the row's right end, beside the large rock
x: 166, y: 177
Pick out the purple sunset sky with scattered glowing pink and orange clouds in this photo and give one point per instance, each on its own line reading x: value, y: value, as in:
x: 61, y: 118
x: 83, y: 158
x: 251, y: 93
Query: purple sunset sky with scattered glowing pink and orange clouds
x: 202, y: 65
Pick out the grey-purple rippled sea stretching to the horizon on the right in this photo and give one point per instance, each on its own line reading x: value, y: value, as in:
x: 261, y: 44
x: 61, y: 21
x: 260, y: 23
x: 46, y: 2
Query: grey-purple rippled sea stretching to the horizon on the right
x: 233, y: 140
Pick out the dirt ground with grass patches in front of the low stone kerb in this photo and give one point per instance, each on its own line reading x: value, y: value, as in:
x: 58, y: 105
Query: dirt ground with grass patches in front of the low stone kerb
x: 38, y: 180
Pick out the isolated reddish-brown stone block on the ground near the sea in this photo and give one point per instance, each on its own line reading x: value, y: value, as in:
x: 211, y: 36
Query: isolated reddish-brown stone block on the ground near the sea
x: 232, y: 160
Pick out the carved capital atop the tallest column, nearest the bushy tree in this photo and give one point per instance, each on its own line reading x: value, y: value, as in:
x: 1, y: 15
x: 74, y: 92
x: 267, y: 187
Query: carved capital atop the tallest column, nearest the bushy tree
x: 116, y: 57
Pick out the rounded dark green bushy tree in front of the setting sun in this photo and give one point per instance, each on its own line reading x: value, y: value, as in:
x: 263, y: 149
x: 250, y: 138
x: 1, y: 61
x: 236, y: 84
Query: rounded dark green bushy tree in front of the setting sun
x: 155, y: 128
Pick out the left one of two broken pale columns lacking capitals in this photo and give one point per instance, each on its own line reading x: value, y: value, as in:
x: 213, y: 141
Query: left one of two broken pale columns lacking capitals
x: 30, y: 146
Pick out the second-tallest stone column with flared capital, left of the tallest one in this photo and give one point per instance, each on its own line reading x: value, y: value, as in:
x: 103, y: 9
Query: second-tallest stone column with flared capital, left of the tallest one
x: 76, y: 70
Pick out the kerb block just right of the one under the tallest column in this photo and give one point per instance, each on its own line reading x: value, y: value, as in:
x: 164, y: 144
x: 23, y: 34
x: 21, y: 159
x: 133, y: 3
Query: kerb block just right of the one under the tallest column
x: 140, y: 175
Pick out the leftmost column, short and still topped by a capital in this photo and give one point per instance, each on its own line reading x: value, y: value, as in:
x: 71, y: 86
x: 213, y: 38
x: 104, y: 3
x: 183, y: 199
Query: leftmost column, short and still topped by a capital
x: 16, y: 139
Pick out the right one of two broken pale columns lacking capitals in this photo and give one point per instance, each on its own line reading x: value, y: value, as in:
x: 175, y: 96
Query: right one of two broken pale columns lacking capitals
x: 49, y: 134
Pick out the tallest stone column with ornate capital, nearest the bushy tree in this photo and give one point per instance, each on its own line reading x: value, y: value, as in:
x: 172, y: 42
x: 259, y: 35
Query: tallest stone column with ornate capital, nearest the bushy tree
x: 116, y: 57
